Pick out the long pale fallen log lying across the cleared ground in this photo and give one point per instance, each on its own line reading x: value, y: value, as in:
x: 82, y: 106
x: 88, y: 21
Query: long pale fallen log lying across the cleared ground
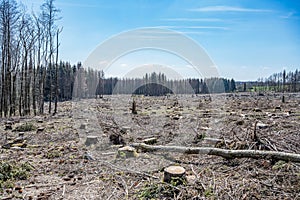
x: 225, y: 153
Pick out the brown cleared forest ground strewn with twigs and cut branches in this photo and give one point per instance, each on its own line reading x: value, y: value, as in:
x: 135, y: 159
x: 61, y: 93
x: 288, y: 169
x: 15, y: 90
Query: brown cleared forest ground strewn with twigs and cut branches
x: 46, y: 157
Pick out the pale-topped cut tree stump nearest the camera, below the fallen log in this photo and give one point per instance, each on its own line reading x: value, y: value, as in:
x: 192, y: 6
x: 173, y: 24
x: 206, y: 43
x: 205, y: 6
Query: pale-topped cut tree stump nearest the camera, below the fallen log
x: 174, y: 173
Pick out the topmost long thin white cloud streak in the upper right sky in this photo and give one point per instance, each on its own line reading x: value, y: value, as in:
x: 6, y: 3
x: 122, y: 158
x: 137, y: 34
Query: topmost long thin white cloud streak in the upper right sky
x: 228, y: 9
